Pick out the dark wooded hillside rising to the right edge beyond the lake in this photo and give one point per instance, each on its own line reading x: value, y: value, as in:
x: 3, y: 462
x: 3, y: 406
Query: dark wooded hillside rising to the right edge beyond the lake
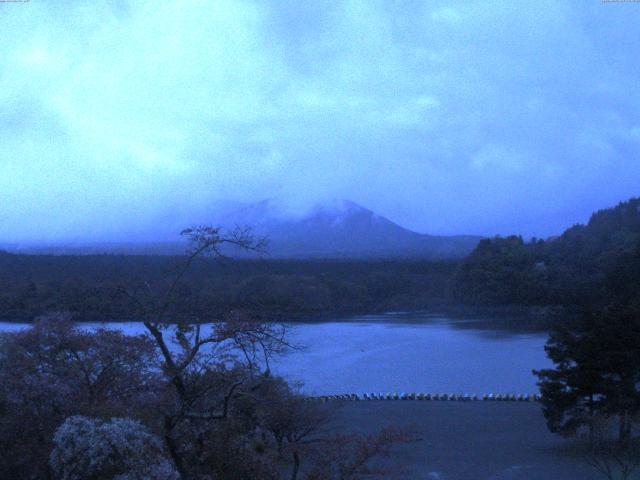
x: 580, y: 268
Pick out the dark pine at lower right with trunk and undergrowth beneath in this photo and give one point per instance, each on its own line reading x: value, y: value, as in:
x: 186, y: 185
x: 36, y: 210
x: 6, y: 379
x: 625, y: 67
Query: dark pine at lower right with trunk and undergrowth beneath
x: 593, y: 390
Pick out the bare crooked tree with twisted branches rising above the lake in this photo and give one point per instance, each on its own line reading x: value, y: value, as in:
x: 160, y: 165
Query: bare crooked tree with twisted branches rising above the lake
x: 207, y: 367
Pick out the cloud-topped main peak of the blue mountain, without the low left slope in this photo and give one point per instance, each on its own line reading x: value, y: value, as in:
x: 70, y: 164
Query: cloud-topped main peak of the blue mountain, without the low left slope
x: 342, y: 229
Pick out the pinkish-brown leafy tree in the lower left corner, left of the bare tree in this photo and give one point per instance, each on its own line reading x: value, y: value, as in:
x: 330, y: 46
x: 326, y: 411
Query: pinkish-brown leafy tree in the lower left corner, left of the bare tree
x: 53, y: 370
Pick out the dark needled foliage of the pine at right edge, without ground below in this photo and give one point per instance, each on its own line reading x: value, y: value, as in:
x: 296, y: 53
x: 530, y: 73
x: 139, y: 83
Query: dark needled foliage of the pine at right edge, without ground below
x: 597, y: 370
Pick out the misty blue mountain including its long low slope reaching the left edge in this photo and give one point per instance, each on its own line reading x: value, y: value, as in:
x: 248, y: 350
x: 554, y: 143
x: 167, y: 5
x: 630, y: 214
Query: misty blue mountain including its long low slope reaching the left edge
x: 335, y: 229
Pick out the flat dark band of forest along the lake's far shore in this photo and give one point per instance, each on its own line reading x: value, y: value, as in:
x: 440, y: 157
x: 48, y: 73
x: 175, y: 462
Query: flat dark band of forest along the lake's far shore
x: 85, y: 286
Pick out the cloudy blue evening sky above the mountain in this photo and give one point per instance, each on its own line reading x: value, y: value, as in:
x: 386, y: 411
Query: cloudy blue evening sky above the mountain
x: 448, y: 117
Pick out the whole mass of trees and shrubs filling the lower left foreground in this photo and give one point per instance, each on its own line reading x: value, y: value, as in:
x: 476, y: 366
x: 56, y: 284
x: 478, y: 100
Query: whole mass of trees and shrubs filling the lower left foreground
x: 78, y: 405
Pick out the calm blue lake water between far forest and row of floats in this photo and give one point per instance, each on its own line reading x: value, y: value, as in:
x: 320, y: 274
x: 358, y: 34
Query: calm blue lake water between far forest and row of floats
x: 413, y: 352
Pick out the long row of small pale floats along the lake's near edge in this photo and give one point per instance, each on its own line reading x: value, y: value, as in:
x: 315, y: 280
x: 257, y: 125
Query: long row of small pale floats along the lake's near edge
x: 430, y: 396
